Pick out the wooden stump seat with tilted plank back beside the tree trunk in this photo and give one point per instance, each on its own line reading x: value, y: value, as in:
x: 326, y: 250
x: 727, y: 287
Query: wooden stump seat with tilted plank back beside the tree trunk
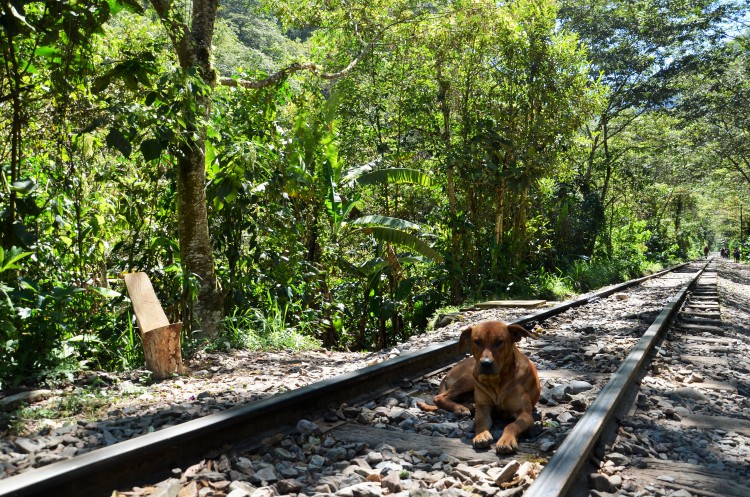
x: 161, y: 340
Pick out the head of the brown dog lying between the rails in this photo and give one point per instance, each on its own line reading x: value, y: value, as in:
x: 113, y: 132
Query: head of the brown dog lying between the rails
x: 493, y: 344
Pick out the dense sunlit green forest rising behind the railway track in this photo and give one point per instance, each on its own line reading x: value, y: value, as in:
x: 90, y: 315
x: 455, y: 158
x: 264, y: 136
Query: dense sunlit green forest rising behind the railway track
x: 303, y: 173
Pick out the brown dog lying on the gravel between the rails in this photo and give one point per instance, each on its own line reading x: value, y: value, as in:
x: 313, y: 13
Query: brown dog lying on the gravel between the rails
x: 502, y: 379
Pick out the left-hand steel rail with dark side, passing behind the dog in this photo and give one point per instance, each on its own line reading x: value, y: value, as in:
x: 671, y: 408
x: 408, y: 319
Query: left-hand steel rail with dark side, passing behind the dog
x: 103, y: 470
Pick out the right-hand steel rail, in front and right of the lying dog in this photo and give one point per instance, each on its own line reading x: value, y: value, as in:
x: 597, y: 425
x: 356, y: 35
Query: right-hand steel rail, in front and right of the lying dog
x: 557, y: 477
